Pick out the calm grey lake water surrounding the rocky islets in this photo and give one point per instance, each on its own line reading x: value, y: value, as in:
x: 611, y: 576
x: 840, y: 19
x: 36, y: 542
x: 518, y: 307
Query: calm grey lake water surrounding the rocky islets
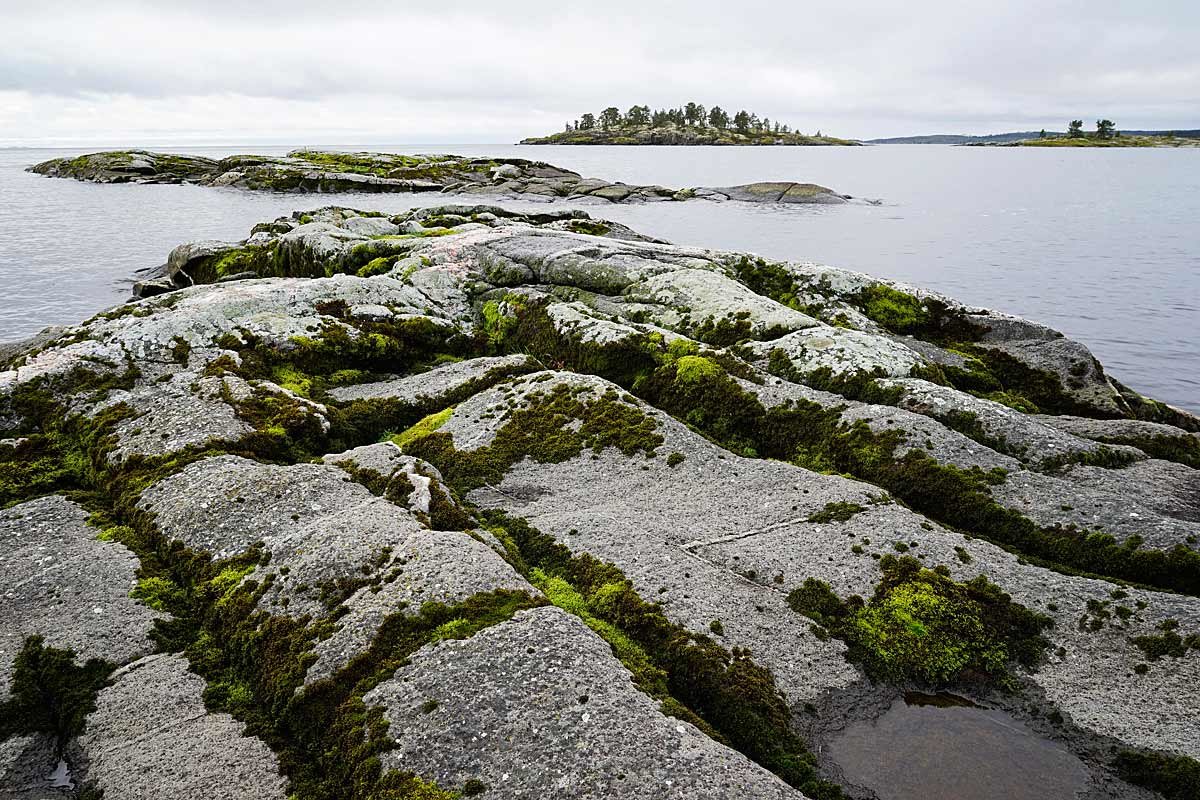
x: 1103, y: 245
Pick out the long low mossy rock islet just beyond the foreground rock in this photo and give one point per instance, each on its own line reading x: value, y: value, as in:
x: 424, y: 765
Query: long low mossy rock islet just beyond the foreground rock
x: 316, y: 172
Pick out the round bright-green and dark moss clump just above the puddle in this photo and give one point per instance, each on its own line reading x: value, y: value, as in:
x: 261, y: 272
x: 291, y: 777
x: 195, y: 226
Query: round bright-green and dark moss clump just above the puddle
x: 921, y: 625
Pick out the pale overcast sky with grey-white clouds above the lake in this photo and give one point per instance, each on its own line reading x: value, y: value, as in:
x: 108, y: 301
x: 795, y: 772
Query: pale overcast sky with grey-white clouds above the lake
x: 350, y: 71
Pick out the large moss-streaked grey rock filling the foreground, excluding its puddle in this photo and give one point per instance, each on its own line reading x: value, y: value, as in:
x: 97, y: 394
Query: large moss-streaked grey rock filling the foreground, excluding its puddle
x: 467, y: 502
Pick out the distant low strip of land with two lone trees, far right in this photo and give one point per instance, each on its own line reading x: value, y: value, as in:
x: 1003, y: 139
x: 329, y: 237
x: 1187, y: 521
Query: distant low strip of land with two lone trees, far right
x: 1106, y: 136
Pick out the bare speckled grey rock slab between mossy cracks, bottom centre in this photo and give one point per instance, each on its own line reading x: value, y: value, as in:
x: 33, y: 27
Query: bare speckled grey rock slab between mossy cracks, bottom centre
x: 539, y: 707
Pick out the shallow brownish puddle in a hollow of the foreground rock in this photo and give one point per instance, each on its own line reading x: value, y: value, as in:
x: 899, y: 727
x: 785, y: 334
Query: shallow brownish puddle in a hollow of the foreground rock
x: 945, y: 748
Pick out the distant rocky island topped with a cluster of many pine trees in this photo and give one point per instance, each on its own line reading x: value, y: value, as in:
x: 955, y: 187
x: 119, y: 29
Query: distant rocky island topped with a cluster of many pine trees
x: 688, y: 125
